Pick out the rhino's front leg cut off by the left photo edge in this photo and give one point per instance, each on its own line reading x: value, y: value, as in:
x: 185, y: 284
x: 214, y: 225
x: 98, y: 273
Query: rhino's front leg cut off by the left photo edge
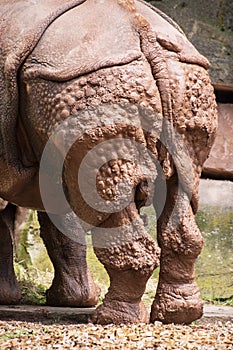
x: 9, y: 288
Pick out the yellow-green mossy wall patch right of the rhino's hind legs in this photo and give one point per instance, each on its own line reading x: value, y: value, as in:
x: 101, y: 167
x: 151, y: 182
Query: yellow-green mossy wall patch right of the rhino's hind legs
x: 214, y: 267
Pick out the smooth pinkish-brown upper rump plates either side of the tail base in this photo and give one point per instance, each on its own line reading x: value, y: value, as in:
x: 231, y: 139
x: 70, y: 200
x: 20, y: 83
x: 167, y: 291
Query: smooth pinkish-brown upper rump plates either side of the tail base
x: 100, y: 34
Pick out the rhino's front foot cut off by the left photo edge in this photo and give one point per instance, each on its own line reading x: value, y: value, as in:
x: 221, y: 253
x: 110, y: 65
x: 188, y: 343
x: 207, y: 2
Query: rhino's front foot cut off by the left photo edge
x: 9, y: 292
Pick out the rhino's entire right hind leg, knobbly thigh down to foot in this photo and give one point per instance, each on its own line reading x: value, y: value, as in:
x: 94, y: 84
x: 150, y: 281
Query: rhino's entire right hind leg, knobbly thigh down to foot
x: 178, y: 298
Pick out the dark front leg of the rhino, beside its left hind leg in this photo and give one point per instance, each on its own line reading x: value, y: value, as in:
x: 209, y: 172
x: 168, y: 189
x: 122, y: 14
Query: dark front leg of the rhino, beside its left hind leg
x: 72, y: 284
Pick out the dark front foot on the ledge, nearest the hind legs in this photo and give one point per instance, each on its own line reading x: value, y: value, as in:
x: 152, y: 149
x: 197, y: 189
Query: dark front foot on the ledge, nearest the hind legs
x: 73, y: 292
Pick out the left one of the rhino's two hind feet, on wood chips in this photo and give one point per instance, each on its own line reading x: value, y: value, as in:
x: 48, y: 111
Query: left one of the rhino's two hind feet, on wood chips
x: 120, y: 312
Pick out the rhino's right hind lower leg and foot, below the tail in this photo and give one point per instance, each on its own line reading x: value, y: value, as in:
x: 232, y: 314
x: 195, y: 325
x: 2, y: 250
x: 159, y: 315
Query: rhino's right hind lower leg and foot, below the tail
x: 177, y: 298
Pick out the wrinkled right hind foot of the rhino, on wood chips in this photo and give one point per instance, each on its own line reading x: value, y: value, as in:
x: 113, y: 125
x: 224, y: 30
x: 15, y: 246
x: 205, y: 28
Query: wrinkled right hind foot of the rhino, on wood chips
x: 180, y: 304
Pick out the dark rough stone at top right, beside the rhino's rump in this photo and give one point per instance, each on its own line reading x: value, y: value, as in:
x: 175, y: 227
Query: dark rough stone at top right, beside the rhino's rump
x: 209, y: 26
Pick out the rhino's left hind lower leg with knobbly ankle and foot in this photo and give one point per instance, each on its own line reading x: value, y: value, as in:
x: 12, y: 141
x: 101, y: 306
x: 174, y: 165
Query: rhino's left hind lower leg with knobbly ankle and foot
x: 129, y: 256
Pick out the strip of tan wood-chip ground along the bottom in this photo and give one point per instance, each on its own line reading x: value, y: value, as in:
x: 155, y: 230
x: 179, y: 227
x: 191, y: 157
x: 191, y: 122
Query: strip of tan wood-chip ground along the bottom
x: 27, y: 335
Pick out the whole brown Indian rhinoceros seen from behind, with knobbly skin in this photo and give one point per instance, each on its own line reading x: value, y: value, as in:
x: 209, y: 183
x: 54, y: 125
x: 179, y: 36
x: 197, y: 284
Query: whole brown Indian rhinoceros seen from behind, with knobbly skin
x: 105, y: 107
